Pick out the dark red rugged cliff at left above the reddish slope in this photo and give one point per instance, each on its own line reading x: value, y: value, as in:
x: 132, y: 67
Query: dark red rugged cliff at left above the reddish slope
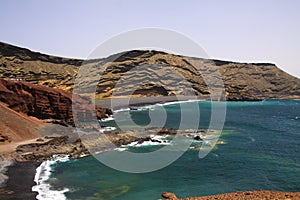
x: 44, y: 103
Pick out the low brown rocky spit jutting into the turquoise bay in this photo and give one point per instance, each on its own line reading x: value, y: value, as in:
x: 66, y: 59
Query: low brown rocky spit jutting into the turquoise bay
x: 43, y: 148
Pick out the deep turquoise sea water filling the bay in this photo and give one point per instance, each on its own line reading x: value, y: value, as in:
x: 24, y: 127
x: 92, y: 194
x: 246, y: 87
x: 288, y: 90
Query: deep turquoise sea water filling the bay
x: 261, y: 150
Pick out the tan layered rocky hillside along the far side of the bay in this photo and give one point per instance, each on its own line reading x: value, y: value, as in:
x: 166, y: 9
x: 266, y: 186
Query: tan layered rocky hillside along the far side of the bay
x: 150, y: 73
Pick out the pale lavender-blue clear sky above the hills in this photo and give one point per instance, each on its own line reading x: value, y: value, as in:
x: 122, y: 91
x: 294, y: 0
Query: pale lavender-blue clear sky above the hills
x: 243, y: 31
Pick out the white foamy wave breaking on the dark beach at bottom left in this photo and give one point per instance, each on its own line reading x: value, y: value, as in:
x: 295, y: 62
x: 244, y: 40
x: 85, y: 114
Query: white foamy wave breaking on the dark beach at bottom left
x: 42, y: 175
